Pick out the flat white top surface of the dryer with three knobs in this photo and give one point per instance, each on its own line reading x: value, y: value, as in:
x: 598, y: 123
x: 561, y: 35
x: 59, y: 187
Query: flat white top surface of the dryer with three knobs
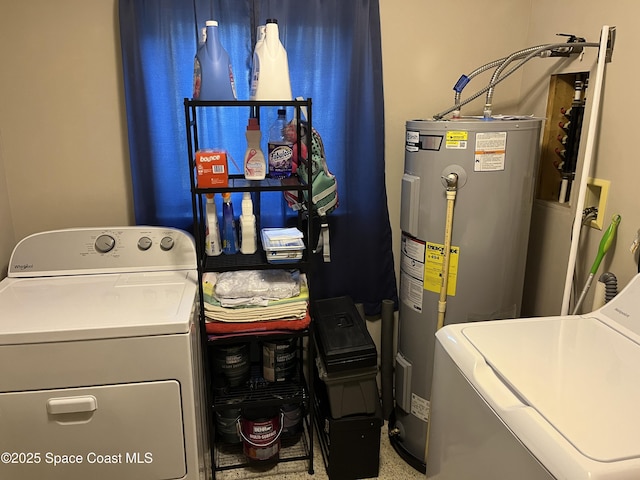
x: 83, y: 307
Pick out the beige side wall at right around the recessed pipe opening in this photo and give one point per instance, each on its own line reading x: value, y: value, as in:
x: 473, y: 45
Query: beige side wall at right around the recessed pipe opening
x: 615, y: 158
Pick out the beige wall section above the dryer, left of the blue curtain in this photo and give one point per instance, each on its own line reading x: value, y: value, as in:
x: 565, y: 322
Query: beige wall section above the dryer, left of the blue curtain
x: 62, y: 123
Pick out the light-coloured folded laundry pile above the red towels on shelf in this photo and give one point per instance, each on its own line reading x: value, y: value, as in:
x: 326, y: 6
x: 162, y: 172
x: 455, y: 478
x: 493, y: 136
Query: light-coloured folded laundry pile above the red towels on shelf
x: 255, y: 295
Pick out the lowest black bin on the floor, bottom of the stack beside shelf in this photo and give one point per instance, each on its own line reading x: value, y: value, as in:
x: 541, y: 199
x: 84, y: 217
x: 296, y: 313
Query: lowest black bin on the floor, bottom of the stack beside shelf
x: 350, y: 445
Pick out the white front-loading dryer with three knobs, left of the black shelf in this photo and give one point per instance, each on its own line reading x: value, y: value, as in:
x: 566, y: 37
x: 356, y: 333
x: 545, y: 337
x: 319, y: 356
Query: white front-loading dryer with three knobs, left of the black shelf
x: 100, y: 362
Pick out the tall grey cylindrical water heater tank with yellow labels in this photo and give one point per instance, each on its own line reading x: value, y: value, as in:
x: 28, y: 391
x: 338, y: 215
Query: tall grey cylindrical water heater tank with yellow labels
x: 495, y: 163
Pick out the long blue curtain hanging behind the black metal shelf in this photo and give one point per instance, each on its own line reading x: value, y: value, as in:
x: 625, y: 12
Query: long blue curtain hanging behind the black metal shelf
x: 334, y: 52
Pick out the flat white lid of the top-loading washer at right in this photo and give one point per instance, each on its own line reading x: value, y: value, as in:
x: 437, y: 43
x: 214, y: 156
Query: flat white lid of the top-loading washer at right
x: 578, y: 373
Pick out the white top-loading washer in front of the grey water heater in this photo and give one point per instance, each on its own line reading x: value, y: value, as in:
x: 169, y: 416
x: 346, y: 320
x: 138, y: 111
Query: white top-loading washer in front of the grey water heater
x: 539, y: 398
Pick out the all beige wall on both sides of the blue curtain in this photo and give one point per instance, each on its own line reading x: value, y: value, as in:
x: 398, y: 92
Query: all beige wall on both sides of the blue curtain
x: 63, y: 144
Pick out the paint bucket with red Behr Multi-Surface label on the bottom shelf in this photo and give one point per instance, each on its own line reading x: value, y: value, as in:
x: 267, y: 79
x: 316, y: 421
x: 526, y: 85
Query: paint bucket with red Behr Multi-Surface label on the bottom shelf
x: 260, y: 429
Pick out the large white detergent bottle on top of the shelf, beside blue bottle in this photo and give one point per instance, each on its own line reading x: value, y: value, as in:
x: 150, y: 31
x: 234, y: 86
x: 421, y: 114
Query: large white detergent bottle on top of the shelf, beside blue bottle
x: 270, y: 70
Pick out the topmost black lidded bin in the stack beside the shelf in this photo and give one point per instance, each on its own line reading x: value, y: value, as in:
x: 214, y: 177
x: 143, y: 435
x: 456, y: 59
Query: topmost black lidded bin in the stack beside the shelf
x: 343, y: 340
